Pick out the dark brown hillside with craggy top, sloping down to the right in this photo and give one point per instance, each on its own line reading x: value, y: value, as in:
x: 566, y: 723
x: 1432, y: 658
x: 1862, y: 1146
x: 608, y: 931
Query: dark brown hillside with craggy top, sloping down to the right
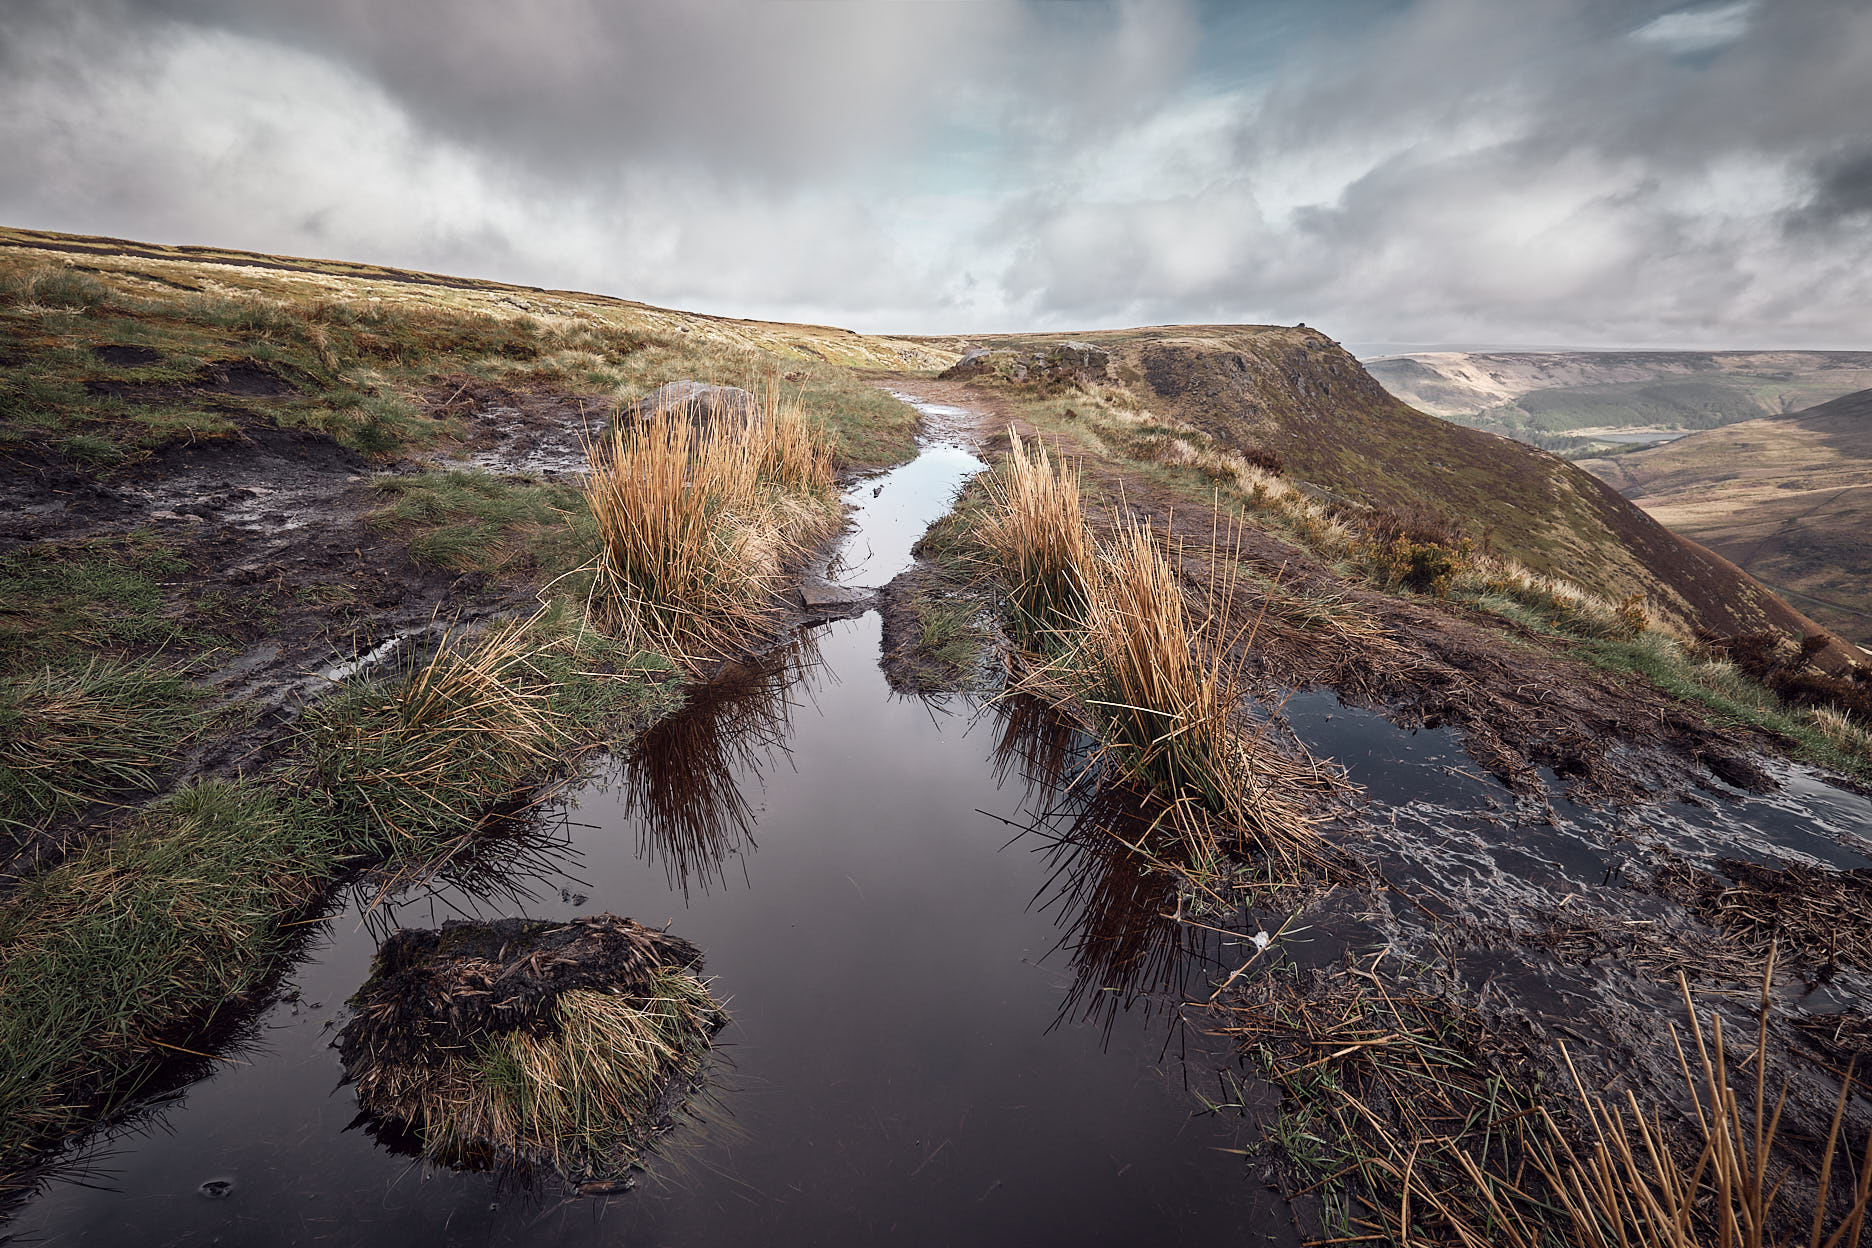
x: 1302, y: 398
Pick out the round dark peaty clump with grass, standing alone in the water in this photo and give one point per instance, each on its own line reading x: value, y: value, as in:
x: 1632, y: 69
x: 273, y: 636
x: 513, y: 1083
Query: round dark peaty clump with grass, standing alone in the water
x: 596, y: 1030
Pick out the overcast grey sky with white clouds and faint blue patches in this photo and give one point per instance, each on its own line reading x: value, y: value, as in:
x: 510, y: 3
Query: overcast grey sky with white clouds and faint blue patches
x: 1392, y: 171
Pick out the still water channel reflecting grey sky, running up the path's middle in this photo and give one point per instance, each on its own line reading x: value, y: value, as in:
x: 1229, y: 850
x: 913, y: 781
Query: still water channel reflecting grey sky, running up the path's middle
x: 931, y: 1039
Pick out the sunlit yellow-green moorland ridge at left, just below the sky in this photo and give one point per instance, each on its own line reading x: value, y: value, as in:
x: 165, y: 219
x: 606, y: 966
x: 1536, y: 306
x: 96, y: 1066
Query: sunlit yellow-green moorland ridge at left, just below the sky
x: 106, y: 360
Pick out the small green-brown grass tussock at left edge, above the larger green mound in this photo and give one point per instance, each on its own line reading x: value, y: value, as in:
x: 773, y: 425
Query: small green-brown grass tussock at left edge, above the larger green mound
x: 74, y: 736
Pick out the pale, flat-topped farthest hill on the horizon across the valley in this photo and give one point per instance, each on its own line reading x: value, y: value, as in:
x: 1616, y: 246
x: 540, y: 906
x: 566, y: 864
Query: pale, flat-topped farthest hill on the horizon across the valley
x: 1562, y: 399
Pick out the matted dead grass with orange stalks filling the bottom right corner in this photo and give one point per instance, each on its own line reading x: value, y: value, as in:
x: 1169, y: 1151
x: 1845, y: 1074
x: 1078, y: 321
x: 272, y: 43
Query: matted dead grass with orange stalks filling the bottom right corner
x: 1416, y: 1125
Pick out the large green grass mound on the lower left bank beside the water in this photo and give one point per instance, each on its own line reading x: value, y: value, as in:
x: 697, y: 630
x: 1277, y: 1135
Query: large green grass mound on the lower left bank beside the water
x: 124, y: 951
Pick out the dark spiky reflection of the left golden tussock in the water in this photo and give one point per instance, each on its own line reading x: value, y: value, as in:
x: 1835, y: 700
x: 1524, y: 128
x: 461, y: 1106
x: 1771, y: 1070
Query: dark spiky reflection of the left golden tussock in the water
x: 684, y: 779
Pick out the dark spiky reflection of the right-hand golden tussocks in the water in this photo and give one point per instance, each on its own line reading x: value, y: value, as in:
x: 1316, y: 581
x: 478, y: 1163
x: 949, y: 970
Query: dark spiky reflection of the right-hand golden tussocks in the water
x: 1113, y: 905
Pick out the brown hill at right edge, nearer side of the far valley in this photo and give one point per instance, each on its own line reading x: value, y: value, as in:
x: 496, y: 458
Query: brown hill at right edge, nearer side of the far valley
x: 1787, y: 499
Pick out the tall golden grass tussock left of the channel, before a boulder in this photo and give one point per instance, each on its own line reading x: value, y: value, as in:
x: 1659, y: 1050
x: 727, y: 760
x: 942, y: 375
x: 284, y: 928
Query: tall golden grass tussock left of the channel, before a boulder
x: 697, y: 525
